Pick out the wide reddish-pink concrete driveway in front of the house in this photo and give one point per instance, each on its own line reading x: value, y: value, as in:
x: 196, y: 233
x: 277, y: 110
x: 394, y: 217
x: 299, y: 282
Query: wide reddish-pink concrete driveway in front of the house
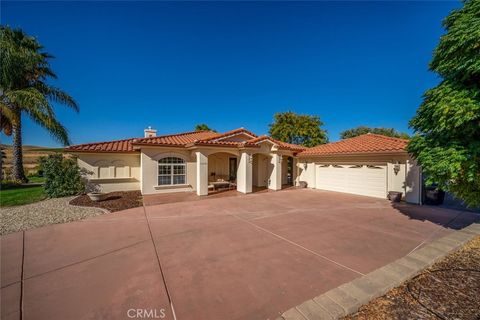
x: 246, y: 257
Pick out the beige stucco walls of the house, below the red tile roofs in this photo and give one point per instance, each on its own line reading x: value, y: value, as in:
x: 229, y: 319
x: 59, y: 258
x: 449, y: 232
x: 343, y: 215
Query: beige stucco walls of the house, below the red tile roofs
x: 263, y: 165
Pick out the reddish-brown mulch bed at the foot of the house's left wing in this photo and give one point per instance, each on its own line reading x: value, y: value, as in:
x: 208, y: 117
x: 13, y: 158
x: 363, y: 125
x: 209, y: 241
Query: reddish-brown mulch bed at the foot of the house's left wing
x: 115, y: 201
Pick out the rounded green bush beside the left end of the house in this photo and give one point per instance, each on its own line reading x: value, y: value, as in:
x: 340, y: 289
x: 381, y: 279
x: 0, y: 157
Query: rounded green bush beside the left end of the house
x: 63, y: 177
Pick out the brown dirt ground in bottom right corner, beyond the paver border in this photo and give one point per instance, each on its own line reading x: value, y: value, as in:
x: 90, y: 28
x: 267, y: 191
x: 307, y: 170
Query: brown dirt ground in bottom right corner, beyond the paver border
x: 448, y: 290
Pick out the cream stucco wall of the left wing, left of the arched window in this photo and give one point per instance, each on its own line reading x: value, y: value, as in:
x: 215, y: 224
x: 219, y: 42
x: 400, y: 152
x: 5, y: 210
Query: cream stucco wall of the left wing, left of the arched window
x: 111, y: 172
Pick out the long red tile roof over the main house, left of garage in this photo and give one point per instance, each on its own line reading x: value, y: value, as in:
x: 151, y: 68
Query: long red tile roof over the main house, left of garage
x: 186, y: 139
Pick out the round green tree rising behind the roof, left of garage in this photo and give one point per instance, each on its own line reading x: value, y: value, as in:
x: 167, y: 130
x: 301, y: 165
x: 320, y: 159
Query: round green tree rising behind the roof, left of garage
x: 299, y: 129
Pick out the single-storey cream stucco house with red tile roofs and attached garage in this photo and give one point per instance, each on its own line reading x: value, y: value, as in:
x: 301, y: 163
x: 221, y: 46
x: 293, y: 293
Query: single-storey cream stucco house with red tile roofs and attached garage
x: 198, y: 161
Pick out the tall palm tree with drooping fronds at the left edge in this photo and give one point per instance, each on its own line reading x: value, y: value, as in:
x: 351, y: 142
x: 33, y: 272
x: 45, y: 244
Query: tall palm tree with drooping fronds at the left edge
x: 25, y: 70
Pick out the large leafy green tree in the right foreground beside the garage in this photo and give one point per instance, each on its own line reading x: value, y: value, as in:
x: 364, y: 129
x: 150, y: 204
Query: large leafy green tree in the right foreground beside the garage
x: 447, y: 123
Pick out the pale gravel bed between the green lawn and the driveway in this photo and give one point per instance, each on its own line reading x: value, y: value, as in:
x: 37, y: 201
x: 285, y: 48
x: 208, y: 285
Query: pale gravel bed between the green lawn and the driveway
x: 42, y: 213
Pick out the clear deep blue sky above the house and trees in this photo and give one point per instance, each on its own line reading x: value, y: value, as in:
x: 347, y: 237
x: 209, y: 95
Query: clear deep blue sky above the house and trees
x: 172, y: 65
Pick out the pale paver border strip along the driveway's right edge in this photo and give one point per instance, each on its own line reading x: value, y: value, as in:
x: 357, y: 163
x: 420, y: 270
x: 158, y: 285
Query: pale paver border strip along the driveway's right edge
x: 349, y: 297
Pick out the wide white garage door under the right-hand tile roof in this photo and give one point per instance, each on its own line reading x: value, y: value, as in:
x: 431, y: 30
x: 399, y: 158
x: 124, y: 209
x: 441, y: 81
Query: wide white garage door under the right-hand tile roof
x: 366, y: 180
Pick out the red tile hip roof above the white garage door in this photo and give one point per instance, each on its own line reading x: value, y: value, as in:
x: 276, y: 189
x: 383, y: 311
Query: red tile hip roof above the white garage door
x: 366, y: 143
